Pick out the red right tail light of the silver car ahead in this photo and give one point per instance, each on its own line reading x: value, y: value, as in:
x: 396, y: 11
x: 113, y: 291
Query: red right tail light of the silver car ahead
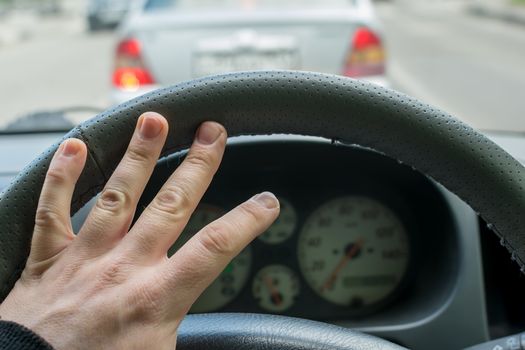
x: 366, y: 56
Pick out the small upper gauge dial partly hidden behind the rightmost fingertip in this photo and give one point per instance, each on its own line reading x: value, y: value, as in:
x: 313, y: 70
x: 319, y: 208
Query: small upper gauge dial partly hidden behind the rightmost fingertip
x: 283, y: 227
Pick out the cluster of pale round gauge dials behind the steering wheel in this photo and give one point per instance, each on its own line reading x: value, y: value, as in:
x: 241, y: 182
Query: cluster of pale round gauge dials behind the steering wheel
x: 350, y: 252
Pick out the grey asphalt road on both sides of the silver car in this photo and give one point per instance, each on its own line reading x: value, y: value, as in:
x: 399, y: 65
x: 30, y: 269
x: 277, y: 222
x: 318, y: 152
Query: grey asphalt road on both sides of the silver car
x: 472, y: 67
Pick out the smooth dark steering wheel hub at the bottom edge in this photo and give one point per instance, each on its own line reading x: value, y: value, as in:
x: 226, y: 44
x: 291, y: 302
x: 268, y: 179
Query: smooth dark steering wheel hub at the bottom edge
x: 268, y: 332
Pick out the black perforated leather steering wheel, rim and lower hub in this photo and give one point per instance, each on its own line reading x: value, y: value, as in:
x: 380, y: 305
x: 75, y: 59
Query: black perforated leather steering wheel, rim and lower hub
x: 247, y: 103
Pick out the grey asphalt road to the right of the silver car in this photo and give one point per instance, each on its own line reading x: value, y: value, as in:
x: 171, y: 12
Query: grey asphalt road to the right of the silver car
x: 472, y: 67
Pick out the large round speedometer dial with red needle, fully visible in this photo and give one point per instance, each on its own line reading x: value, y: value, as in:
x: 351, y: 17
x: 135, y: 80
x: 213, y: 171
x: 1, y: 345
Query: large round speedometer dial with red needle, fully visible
x: 353, y: 251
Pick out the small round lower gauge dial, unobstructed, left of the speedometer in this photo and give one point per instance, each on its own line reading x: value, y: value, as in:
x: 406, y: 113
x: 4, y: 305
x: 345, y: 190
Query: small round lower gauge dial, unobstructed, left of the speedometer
x: 275, y: 287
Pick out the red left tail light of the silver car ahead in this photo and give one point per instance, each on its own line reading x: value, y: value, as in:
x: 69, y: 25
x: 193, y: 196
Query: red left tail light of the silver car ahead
x: 130, y: 71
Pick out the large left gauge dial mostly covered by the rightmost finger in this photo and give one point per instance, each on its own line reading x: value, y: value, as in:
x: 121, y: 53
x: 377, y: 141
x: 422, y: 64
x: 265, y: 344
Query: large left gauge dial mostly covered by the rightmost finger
x: 231, y: 280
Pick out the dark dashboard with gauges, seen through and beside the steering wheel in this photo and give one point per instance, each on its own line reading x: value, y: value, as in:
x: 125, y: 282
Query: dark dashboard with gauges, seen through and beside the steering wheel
x: 362, y: 241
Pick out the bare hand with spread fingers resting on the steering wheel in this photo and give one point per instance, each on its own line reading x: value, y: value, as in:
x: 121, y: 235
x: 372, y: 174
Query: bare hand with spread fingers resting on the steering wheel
x: 114, y: 288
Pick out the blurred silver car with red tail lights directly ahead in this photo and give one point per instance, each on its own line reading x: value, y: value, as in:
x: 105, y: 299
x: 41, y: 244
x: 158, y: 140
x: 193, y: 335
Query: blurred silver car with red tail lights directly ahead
x: 168, y: 41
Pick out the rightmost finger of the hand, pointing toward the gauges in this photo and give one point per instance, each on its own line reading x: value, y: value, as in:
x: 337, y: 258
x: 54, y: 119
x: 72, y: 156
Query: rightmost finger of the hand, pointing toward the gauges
x: 196, y: 265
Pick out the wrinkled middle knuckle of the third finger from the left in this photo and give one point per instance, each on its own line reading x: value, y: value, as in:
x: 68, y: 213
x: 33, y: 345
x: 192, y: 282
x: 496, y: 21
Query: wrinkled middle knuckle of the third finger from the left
x: 173, y: 202
